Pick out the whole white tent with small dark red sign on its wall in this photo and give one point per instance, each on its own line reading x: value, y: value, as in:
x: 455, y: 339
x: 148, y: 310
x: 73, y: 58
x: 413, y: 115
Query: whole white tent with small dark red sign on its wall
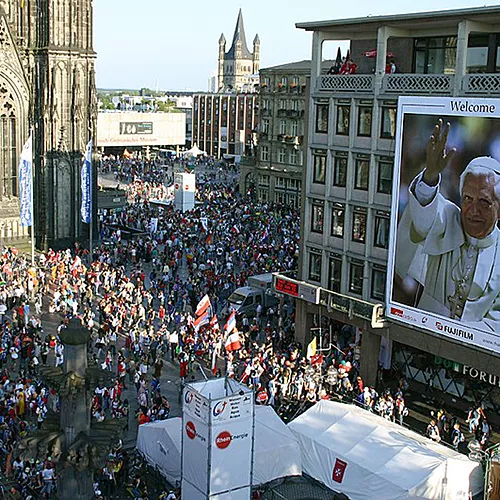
x: 370, y: 457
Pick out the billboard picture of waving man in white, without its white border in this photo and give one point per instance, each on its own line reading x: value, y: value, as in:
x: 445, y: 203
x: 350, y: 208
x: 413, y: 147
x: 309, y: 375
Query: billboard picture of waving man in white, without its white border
x: 447, y: 258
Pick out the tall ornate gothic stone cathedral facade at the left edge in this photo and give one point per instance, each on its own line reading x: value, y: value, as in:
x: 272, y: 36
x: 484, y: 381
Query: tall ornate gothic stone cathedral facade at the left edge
x: 47, y: 88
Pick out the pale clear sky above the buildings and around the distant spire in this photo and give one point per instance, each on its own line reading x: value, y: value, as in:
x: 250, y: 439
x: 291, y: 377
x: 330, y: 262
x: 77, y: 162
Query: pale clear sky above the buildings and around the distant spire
x: 173, y: 45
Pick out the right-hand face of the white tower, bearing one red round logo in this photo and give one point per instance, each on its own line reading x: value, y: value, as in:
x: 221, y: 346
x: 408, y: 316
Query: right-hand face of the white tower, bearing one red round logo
x: 231, y: 463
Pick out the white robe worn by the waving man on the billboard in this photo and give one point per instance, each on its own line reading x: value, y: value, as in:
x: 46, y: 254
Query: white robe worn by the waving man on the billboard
x: 430, y: 241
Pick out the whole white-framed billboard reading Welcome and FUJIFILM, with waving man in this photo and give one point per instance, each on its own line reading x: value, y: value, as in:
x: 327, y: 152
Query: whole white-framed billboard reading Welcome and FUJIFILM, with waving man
x: 444, y: 258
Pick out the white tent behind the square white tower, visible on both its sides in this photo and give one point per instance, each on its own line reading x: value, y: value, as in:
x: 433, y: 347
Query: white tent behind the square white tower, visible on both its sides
x: 276, y: 455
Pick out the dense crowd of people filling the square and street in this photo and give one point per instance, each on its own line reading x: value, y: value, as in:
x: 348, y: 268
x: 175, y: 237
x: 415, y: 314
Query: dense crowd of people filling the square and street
x: 138, y: 298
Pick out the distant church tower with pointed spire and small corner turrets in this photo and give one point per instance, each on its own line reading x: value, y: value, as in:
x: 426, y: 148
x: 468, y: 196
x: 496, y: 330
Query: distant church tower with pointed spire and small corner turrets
x: 238, y: 64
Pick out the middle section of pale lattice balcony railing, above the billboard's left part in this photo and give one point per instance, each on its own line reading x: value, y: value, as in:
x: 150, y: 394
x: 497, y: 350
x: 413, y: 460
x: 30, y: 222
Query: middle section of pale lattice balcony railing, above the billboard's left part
x: 417, y: 84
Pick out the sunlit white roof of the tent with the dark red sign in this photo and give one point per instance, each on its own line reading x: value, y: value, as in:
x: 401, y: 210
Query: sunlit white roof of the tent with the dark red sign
x: 378, y: 447
